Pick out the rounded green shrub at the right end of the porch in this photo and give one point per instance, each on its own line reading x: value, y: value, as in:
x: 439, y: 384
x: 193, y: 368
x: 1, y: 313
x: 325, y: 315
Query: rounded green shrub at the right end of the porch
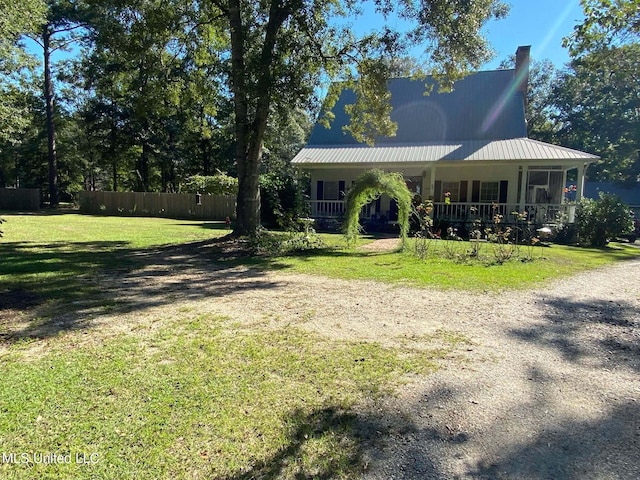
x: 599, y: 221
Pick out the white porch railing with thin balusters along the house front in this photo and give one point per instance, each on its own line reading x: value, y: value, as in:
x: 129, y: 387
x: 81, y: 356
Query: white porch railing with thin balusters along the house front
x: 463, y: 211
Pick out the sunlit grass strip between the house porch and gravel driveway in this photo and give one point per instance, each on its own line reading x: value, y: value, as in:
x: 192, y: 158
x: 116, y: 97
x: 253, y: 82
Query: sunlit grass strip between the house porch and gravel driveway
x: 439, y: 270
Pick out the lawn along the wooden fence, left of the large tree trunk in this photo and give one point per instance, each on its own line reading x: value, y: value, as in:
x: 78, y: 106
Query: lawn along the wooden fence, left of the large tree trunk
x: 54, y: 255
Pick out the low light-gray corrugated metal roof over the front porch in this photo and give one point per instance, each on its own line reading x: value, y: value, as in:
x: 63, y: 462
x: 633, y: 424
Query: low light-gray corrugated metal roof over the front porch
x: 515, y: 149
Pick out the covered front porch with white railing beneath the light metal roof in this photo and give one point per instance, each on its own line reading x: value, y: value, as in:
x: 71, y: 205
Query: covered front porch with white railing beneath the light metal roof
x: 463, y: 193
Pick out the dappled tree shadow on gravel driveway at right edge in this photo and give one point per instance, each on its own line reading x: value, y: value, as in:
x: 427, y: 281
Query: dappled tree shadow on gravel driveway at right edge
x: 604, y: 331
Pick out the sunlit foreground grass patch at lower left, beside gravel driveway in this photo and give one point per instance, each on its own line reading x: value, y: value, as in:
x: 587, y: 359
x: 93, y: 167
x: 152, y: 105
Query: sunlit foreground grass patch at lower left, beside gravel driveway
x: 199, y: 398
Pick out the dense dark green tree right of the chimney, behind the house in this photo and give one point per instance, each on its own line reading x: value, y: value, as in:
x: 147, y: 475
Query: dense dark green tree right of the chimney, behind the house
x: 598, y: 110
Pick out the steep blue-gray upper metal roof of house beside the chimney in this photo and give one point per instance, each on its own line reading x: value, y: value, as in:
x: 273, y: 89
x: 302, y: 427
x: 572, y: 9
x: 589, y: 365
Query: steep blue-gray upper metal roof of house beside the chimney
x: 482, y: 106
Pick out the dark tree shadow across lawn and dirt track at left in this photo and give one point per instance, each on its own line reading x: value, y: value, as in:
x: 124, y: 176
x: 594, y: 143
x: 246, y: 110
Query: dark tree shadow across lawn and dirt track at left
x: 51, y: 288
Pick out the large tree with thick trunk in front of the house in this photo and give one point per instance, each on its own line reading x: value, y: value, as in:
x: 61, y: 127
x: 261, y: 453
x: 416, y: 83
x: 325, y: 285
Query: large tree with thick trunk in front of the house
x: 279, y: 50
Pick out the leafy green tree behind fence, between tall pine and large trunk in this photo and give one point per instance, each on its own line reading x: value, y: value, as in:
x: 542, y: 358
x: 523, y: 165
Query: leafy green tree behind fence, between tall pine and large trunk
x: 153, y: 73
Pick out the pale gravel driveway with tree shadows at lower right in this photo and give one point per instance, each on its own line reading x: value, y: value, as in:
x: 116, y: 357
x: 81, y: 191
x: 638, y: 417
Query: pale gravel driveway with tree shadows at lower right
x: 551, y: 389
